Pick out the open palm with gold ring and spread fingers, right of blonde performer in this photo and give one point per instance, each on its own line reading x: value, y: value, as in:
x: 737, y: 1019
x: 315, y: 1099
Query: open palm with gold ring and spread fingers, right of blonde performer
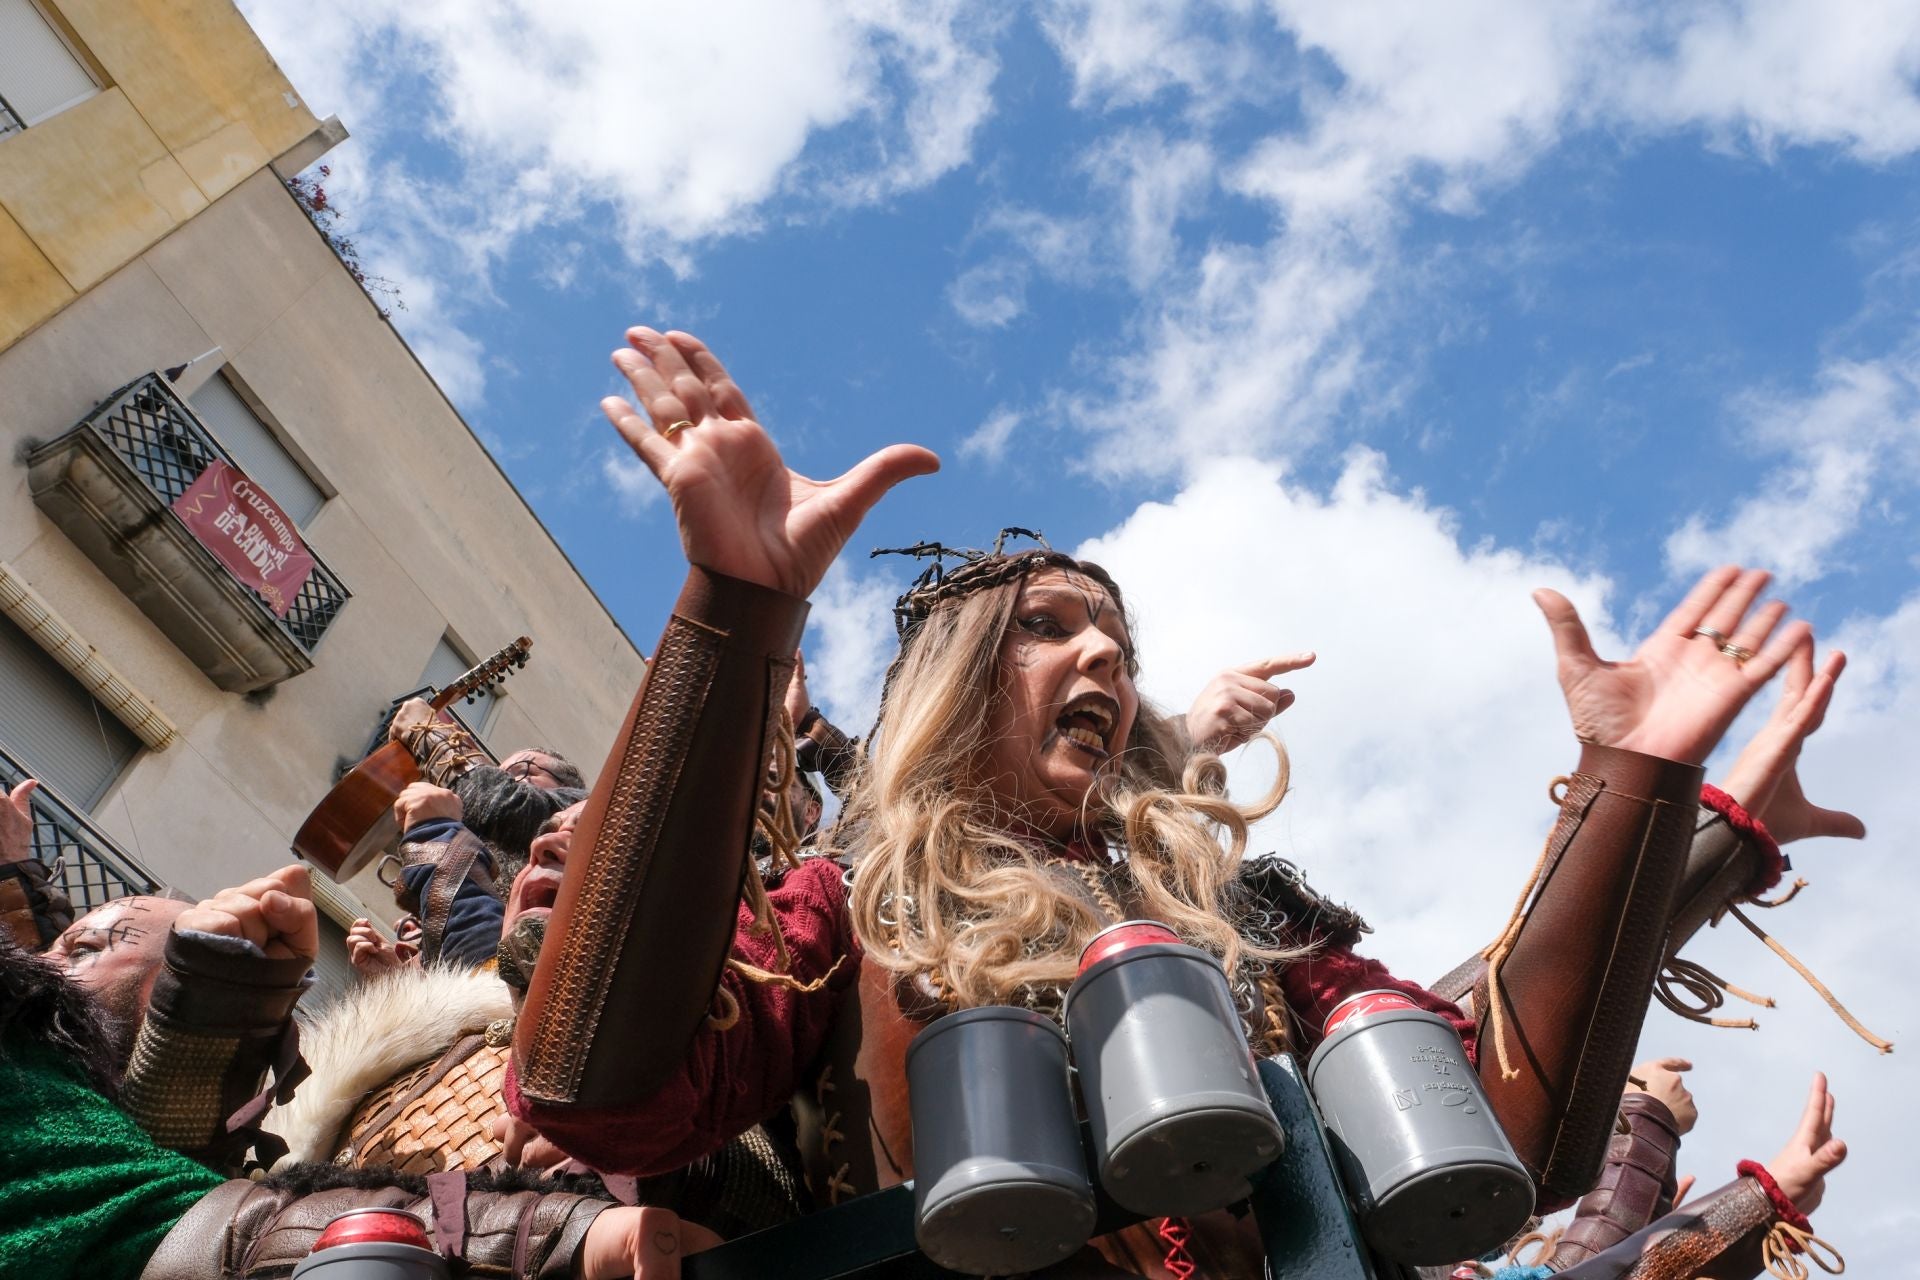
x: 1679, y: 694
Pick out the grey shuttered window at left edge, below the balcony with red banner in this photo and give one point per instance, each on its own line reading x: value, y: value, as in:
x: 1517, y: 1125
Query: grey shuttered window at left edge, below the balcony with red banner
x: 55, y: 728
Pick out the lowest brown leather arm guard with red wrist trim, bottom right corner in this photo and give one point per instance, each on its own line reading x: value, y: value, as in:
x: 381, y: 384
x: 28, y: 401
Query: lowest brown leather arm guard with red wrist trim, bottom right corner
x: 1725, y: 1235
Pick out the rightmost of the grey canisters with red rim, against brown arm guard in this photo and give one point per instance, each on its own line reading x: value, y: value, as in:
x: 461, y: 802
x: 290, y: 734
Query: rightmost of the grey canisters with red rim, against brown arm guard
x: 1433, y: 1173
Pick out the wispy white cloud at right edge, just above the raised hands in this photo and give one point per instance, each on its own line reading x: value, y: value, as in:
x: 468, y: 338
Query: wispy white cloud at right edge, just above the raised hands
x: 1842, y: 444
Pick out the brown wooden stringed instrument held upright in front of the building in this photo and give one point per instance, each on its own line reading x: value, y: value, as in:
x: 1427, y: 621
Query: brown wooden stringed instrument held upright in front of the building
x: 354, y: 824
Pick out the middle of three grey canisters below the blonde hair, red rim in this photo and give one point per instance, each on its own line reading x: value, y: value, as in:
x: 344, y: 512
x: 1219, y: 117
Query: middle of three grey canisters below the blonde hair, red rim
x: 1180, y: 1120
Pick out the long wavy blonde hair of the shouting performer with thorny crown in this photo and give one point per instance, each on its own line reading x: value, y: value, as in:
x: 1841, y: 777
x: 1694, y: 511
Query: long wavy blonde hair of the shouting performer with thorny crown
x: 944, y: 888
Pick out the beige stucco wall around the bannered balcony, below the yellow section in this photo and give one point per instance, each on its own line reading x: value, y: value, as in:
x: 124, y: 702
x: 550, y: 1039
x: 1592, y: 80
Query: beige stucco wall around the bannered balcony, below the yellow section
x: 423, y: 529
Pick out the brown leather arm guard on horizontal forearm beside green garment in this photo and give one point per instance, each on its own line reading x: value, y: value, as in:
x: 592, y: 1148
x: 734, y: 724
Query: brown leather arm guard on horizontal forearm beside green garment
x: 254, y: 1229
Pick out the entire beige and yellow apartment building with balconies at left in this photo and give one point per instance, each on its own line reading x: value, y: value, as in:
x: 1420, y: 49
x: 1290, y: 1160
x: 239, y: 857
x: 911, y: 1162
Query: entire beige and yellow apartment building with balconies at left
x: 170, y: 308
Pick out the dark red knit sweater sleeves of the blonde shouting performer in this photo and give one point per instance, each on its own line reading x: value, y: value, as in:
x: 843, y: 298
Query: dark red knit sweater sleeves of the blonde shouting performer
x: 738, y: 1078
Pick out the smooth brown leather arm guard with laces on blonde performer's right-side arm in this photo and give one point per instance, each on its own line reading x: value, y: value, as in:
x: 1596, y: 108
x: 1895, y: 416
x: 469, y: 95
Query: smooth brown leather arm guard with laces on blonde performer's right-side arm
x: 1575, y: 966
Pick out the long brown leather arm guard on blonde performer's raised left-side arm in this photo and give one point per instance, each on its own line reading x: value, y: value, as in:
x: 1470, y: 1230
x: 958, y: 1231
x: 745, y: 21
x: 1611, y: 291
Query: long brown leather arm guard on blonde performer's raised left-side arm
x: 648, y: 909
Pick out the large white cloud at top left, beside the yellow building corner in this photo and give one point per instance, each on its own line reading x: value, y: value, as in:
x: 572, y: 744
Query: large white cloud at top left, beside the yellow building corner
x: 679, y: 120
